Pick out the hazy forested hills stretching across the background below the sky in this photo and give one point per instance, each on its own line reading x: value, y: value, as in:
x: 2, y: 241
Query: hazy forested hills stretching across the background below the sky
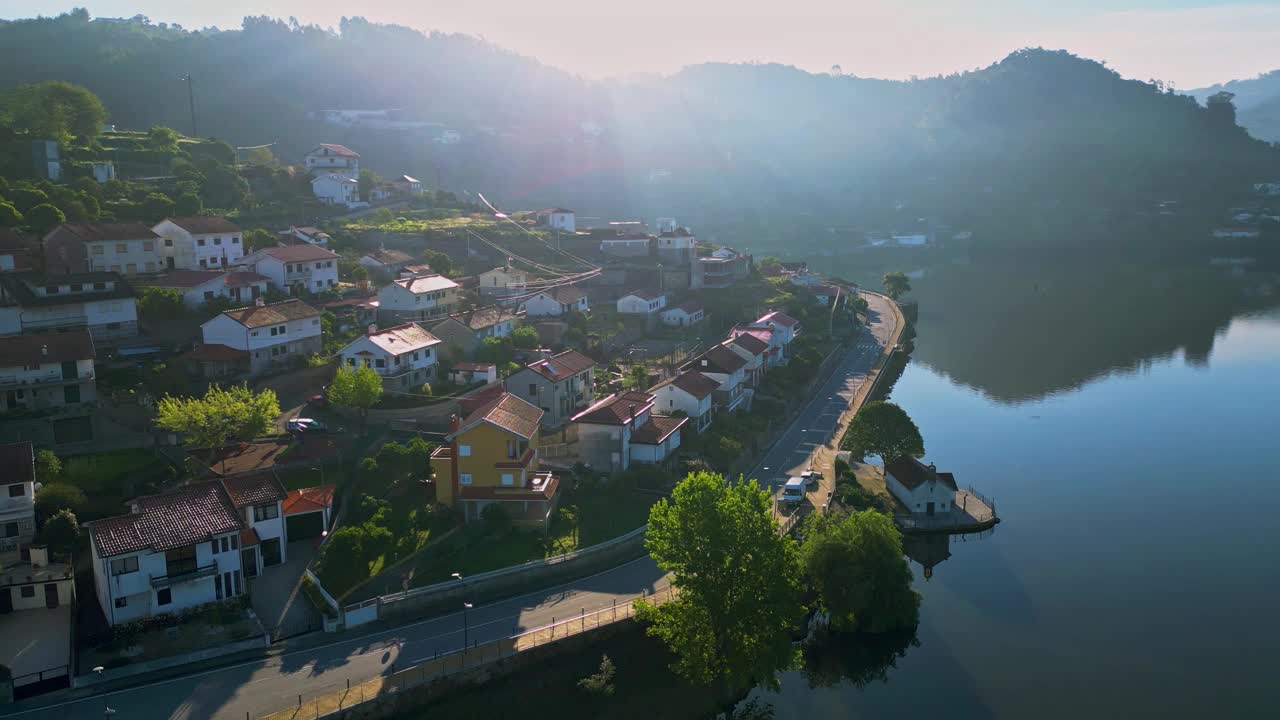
x: 1041, y: 147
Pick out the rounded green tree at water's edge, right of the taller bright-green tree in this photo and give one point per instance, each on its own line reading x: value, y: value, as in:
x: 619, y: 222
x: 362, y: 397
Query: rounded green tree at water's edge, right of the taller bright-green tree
x: 857, y: 566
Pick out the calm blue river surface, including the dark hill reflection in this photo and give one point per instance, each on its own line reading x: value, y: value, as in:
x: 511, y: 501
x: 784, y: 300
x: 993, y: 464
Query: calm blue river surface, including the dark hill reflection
x: 1128, y: 425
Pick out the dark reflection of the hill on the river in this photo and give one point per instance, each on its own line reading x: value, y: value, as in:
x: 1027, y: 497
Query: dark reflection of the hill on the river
x: 1023, y: 334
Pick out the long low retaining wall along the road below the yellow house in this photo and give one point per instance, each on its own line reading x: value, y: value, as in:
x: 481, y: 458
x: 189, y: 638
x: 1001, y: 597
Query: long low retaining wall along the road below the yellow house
x: 511, y: 581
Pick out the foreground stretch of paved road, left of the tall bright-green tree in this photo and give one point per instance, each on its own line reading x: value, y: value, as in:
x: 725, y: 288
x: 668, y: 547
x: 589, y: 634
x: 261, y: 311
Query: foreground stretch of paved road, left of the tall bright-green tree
x: 267, y: 686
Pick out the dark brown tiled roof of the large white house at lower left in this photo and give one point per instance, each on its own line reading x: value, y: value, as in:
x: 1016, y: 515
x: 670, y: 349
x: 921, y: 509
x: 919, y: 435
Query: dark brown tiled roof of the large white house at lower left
x: 186, y: 517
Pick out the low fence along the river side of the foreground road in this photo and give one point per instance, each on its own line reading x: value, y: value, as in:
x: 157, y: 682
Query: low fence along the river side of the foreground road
x: 465, y: 659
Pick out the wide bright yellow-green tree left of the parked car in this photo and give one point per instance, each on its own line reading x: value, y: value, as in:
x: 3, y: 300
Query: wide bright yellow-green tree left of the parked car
x: 220, y: 417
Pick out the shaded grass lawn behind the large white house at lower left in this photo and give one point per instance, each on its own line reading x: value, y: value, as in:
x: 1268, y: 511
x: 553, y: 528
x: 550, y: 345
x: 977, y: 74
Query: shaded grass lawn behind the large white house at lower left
x: 112, y: 479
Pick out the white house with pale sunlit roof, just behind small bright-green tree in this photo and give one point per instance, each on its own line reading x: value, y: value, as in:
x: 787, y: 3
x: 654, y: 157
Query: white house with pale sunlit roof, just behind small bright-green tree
x: 404, y: 356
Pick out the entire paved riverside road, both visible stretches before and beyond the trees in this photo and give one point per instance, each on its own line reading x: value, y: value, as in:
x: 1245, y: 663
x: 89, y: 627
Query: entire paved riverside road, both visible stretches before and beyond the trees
x: 267, y: 686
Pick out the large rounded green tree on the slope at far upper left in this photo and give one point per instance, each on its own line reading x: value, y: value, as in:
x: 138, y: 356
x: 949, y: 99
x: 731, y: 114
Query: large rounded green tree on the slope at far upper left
x: 57, y: 111
